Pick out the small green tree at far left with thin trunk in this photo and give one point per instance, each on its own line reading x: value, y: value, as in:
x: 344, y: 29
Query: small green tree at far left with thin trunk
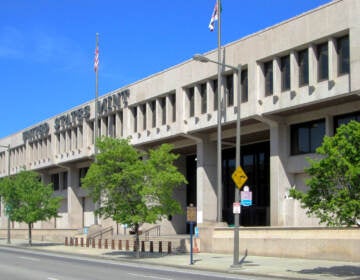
x: 28, y: 200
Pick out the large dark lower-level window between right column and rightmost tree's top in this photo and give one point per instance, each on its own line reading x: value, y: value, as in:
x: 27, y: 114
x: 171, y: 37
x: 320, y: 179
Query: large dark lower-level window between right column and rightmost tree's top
x: 306, y: 137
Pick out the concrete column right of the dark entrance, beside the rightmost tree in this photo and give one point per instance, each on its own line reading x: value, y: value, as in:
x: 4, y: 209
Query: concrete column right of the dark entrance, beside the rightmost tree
x: 280, y: 180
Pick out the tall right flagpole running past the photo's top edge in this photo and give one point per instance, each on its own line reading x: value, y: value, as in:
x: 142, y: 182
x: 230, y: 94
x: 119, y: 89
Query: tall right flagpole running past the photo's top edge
x: 219, y: 113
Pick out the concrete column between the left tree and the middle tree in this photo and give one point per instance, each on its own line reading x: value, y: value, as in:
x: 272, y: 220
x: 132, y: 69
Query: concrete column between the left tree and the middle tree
x: 75, y: 210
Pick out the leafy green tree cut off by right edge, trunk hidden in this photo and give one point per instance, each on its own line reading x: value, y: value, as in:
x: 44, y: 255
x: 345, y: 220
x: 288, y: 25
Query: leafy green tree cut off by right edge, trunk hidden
x: 334, y: 184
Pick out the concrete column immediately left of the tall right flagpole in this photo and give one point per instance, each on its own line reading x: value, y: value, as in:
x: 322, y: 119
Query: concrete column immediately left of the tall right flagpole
x: 206, y: 181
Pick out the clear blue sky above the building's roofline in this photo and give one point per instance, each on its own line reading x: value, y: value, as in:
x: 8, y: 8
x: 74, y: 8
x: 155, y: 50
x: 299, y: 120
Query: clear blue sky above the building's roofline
x: 47, y: 46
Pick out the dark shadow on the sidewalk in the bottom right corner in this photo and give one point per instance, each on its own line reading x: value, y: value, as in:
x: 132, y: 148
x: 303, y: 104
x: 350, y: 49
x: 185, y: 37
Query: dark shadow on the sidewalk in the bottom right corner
x: 338, y: 271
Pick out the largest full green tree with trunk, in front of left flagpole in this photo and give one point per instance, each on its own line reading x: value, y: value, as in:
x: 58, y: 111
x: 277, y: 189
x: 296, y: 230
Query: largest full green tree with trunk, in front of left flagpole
x: 133, y: 187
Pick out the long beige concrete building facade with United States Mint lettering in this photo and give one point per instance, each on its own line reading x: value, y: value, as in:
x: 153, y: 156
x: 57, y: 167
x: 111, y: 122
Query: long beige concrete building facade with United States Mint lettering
x: 298, y: 82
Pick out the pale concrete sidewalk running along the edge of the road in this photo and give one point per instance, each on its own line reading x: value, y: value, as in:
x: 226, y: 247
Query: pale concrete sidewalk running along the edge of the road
x: 286, y: 268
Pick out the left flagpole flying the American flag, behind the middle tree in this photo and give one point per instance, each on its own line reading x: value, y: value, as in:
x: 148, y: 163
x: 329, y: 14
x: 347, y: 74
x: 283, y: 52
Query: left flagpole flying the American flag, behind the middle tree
x: 96, y: 68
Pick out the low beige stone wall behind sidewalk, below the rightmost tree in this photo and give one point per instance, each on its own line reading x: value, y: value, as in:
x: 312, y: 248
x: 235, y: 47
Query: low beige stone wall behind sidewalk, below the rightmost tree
x: 342, y: 244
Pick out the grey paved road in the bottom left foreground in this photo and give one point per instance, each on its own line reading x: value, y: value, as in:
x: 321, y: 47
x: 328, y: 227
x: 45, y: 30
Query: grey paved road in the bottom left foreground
x: 19, y: 264
